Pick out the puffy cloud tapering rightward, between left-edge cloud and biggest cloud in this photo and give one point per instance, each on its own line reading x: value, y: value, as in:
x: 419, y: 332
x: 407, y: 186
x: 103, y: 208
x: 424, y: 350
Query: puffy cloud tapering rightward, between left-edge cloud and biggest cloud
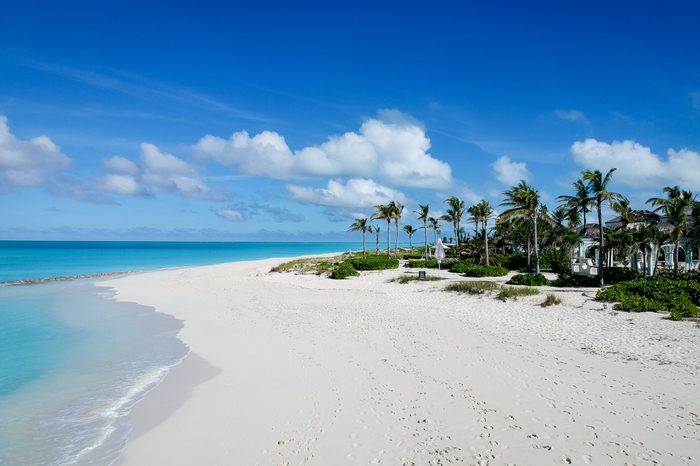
x: 156, y: 171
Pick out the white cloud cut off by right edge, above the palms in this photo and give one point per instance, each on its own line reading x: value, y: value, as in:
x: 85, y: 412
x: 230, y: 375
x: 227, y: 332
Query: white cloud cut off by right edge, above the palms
x: 638, y: 165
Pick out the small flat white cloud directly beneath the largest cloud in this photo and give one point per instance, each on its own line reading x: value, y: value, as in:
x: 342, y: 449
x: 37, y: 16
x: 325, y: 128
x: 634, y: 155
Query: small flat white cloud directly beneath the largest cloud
x: 356, y: 193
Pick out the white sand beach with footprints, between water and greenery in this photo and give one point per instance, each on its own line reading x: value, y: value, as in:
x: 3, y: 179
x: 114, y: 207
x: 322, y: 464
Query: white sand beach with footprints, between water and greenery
x: 300, y: 369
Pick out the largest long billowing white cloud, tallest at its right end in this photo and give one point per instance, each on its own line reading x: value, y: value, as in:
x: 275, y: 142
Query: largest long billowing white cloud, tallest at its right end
x: 395, y: 151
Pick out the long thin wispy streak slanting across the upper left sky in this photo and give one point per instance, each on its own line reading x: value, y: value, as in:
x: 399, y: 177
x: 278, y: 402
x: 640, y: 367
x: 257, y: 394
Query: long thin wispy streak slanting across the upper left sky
x: 144, y: 88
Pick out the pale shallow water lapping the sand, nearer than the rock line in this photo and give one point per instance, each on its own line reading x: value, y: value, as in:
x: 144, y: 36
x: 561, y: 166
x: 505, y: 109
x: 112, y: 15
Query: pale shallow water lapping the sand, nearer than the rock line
x: 72, y: 363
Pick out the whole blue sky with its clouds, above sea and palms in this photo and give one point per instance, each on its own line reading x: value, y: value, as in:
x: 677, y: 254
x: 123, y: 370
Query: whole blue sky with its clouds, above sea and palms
x: 285, y: 120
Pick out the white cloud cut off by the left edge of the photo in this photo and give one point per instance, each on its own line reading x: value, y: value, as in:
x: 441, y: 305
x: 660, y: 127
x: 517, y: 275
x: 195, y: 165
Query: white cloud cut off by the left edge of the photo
x: 25, y: 163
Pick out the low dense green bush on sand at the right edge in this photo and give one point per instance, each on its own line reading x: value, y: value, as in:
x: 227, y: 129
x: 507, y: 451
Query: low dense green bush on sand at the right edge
x: 679, y: 297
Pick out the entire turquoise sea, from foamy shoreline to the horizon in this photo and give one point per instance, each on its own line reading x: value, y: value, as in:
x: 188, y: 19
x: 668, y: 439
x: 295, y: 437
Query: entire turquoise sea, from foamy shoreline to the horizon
x: 72, y: 360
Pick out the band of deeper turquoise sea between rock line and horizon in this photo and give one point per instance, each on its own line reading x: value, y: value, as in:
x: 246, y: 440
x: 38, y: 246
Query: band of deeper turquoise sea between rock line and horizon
x: 21, y: 260
